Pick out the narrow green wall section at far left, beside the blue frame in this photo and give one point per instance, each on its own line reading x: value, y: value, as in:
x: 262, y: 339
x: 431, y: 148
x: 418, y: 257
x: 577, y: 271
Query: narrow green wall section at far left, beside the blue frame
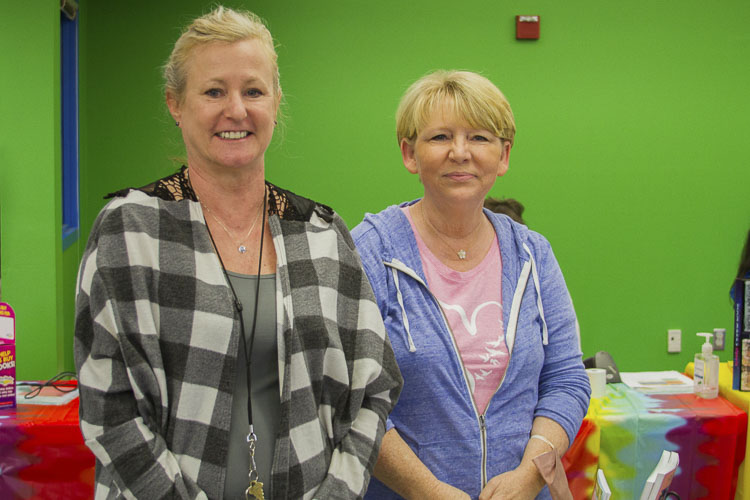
x: 37, y: 276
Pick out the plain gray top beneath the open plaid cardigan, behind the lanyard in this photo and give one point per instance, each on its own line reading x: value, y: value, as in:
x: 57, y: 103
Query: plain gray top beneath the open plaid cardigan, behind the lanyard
x: 265, y: 387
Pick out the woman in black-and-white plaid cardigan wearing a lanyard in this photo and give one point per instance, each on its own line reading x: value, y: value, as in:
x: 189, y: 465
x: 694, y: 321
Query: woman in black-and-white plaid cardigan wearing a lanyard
x: 227, y: 340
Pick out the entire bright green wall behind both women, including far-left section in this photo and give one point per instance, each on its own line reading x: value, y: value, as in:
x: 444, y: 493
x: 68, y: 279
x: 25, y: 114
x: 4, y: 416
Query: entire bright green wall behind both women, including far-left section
x: 629, y: 156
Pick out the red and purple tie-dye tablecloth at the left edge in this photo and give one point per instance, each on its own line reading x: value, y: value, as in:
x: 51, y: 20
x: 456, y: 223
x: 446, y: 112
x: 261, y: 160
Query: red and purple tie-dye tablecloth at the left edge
x: 42, y: 454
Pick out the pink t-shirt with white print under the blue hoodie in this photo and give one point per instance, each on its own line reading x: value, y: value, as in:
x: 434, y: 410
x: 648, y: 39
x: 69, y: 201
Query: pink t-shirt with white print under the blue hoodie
x: 472, y: 302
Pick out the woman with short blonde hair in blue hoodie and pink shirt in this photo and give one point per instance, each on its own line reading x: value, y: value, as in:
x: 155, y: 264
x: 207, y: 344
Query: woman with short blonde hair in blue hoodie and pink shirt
x: 476, y: 308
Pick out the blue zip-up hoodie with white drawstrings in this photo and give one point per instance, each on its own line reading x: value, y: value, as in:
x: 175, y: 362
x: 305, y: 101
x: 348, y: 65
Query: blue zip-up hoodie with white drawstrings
x: 436, y: 413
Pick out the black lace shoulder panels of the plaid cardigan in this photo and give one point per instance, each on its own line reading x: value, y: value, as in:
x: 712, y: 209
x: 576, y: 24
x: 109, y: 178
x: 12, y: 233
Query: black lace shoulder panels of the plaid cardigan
x: 285, y: 204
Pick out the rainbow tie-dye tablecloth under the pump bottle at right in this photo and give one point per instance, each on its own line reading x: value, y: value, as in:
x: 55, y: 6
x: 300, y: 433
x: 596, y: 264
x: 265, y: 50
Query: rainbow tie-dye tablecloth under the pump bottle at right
x: 625, y: 432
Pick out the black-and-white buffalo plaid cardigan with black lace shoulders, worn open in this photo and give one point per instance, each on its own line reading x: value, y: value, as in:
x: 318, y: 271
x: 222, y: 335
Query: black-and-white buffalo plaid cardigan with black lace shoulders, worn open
x: 156, y: 342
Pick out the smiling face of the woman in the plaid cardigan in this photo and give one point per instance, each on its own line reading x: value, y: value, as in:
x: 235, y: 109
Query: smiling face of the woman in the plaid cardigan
x: 228, y: 109
